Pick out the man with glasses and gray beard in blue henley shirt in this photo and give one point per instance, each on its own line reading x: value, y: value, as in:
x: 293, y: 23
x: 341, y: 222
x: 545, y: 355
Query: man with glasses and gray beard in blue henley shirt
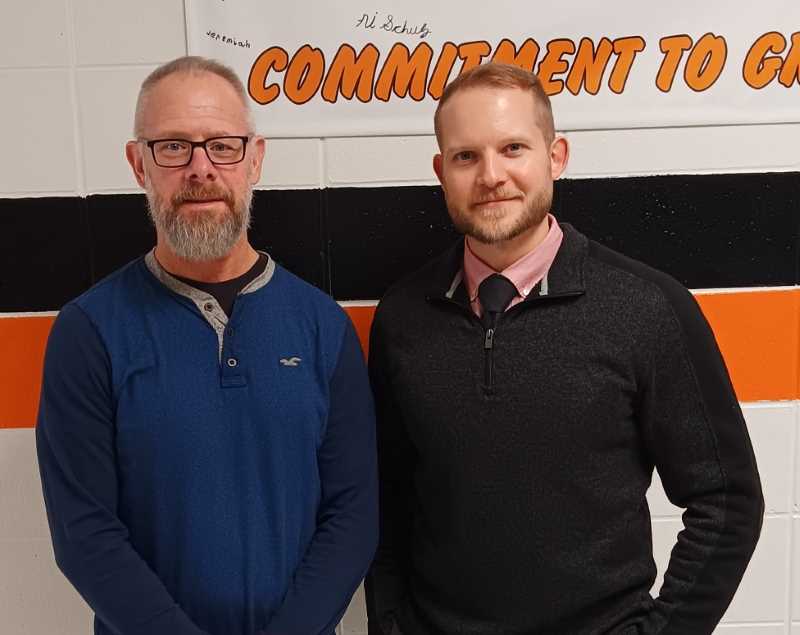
x: 205, y: 432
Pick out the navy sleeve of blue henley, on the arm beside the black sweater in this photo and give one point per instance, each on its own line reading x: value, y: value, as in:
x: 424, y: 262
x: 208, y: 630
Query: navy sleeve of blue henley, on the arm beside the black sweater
x: 347, y: 523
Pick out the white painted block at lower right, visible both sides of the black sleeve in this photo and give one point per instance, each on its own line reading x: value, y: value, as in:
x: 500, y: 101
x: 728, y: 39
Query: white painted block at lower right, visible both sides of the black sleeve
x: 762, y: 593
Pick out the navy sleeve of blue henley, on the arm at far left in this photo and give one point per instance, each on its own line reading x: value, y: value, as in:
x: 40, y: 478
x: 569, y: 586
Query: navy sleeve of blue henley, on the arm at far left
x: 75, y: 445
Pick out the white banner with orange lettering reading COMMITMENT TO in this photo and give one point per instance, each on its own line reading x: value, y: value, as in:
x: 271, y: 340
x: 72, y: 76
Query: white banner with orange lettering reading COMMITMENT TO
x: 346, y: 68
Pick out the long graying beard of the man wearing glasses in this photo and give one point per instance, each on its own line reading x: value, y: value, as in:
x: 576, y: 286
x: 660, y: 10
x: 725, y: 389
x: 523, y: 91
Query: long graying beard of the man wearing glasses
x: 201, y: 237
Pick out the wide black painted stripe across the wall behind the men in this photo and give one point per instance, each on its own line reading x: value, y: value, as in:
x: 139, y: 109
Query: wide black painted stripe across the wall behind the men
x: 729, y: 230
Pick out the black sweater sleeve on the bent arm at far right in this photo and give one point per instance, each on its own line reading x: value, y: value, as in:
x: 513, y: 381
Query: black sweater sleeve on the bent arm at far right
x: 695, y: 433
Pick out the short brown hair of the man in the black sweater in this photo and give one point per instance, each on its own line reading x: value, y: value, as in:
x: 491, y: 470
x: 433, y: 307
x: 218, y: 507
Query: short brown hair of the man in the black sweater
x: 496, y: 75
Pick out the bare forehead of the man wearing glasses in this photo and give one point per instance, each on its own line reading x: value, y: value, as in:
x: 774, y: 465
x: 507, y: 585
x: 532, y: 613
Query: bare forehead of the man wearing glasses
x: 193, y: 103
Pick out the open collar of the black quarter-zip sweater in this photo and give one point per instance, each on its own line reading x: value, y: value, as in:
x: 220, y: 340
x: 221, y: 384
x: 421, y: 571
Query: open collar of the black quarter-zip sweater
x: 565, y: 276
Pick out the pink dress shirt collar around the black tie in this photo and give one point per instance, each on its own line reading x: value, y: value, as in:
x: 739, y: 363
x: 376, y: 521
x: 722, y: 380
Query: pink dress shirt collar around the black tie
x: 525, y: 273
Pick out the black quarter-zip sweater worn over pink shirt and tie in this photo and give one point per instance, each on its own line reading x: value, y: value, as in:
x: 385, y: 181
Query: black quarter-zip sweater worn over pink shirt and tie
x: 513, y: 501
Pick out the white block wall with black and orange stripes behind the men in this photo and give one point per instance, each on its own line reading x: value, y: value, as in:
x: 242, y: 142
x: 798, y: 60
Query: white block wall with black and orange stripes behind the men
x: 715, y: 206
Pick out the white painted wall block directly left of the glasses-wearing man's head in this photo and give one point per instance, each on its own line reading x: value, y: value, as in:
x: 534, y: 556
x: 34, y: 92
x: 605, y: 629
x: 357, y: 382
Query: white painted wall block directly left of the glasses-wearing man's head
x: 107, y: 100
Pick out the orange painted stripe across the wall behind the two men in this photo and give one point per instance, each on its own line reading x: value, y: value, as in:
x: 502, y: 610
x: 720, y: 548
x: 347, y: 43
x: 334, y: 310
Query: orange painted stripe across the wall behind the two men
x: 758, y: 333
